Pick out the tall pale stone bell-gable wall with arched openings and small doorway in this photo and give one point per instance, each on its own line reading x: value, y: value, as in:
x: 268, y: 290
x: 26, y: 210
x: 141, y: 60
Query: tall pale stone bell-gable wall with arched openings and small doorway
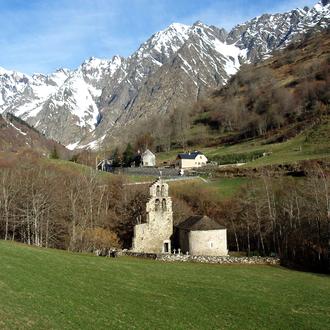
x: 154, y: 236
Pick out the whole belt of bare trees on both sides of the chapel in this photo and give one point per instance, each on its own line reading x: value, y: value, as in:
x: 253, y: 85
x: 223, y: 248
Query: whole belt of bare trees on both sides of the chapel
x: 46, y: 206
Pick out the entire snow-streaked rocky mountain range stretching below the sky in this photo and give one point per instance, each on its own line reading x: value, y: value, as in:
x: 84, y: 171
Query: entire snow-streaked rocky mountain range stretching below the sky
x: 176, y: 65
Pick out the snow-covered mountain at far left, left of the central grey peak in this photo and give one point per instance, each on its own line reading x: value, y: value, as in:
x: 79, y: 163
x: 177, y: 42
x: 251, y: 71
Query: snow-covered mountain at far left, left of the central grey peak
x: 62, y: 105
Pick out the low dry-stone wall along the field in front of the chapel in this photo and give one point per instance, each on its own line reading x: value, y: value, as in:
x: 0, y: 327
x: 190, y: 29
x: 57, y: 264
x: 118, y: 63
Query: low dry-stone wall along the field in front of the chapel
x: 205, y: 259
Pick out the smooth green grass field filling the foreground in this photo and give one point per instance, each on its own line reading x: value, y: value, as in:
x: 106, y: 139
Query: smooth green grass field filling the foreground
x: 52, y: 289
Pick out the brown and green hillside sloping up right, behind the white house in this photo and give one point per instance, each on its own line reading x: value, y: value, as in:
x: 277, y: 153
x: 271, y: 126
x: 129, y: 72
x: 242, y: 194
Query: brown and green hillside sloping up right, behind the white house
x: 280, y: 106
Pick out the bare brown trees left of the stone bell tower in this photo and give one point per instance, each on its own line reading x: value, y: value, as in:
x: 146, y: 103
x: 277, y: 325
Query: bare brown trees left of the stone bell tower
x: 44, y: 206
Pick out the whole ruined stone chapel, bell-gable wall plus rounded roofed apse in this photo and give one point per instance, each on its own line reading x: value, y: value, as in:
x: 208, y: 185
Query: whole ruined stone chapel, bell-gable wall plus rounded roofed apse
x: 197, y: 235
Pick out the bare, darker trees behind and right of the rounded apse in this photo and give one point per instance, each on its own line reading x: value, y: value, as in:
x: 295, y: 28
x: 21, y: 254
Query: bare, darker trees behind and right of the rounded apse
x: 287, y: 217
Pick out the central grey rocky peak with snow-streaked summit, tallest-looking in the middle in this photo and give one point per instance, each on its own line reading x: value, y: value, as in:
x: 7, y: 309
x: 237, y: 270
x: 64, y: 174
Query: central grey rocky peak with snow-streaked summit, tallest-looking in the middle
x: 177, y: 63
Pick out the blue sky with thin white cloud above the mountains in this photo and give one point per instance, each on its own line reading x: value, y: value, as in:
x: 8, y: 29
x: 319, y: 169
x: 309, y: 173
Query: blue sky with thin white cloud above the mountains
x: 43, y: 35
